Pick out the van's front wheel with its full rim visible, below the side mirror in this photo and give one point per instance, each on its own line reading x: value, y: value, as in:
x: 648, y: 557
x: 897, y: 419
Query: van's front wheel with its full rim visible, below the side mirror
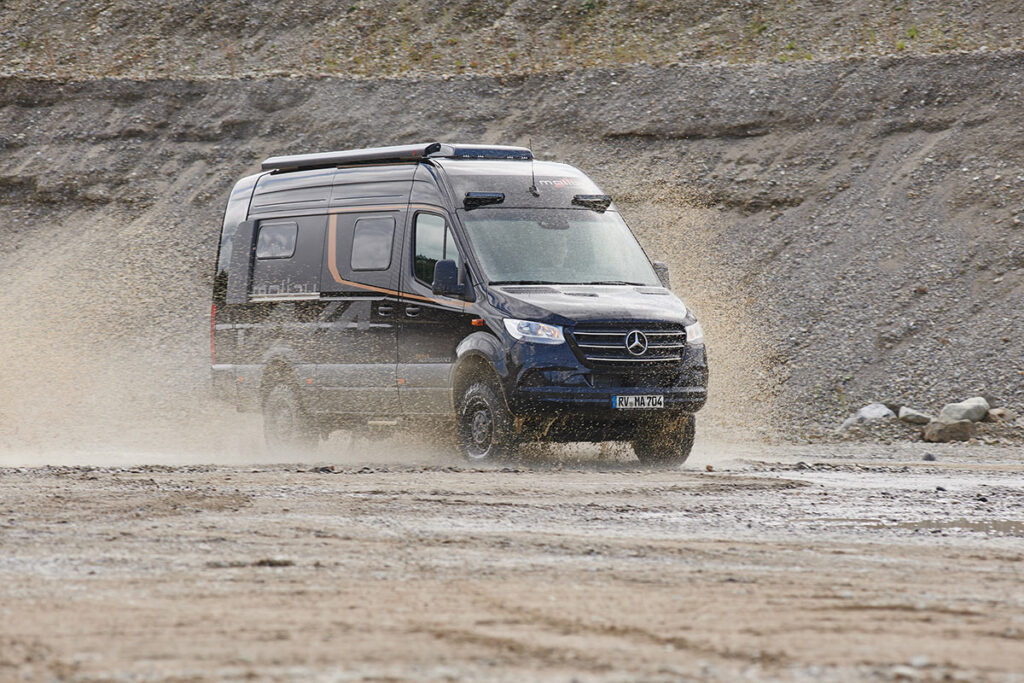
x: 485, y: 429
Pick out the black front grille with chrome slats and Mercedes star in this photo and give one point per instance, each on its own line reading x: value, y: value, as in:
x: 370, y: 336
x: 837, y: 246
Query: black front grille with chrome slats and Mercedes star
x: 606, y: 345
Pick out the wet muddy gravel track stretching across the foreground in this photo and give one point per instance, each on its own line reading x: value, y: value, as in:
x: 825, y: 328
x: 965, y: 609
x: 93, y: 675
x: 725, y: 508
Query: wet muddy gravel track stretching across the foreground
x: 838, y: 566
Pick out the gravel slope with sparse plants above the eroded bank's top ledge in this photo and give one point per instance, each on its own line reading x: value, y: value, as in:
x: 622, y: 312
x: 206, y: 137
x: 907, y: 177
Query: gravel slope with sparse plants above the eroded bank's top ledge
x: 77, y: 39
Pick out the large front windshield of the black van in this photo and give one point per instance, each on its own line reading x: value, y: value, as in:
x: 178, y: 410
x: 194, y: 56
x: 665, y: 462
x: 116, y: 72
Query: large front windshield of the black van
x: 557, y: 247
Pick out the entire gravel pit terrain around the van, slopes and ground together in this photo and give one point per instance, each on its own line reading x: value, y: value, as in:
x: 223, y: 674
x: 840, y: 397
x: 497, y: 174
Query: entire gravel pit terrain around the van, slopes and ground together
x: 839, y: 189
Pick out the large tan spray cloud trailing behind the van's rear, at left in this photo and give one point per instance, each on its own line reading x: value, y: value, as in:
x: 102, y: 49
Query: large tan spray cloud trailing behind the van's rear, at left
x: 106, y: 344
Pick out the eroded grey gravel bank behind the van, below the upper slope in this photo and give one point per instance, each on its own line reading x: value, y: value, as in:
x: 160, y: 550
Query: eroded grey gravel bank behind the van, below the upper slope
x: 848, y: 232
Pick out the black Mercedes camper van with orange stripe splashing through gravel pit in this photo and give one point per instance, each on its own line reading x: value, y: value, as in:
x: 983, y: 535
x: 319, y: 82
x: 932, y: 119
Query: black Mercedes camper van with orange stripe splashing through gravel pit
x: 435, y: 284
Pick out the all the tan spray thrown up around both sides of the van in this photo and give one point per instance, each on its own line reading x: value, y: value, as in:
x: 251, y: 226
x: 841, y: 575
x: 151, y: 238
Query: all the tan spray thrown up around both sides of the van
x: 106, y: 340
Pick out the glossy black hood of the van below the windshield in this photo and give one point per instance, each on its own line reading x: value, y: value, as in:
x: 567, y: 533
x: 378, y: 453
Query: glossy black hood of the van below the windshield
x: 568, y: 305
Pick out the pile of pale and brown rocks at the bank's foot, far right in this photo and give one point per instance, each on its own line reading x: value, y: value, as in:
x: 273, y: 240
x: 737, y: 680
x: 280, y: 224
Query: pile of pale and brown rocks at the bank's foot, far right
x: 956, y: 422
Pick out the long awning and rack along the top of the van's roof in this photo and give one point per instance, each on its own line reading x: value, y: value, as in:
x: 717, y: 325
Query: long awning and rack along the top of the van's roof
x: 395, y: 155
